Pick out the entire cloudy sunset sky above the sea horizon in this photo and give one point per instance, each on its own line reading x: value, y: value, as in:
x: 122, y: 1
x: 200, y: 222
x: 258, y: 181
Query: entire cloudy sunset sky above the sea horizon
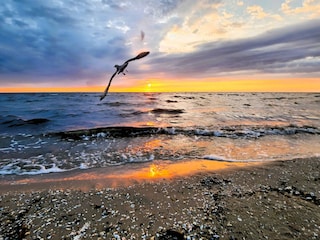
x: 204, y: 45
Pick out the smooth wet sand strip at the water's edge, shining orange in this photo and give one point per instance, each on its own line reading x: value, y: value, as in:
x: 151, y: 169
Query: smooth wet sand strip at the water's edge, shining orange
x: 114, y: 176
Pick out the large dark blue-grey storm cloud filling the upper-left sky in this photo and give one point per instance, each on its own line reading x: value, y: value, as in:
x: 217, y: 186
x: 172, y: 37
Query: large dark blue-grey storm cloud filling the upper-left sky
x: 69, y: 39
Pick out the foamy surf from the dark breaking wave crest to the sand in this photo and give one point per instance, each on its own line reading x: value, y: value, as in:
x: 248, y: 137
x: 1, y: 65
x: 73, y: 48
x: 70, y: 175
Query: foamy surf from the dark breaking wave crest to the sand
x: 111, y: 146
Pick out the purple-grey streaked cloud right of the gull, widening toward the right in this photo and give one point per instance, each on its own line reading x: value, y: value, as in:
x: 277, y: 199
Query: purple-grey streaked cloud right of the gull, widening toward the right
x: 284, y: 50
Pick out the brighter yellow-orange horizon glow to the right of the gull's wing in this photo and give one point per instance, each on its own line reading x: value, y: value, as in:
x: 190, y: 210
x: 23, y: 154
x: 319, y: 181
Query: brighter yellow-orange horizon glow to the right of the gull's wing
x: 224, y: 85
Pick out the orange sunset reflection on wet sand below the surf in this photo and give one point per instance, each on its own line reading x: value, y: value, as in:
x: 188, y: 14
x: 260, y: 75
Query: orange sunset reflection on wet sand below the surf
x: 117, y: 177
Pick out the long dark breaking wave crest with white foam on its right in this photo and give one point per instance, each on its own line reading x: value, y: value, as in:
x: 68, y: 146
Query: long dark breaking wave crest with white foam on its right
x: 227, y: 132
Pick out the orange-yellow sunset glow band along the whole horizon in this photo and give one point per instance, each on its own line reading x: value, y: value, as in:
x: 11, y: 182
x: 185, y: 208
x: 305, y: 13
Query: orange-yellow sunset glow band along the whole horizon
x: 178, y: 85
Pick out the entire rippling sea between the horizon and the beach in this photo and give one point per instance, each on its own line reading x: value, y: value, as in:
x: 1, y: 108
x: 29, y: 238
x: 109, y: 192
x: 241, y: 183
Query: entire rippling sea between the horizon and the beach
x: 44, y: 132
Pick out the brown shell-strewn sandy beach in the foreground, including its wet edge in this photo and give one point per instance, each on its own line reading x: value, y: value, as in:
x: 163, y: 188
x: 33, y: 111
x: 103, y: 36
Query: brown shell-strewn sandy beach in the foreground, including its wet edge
x: 275, y: 200
